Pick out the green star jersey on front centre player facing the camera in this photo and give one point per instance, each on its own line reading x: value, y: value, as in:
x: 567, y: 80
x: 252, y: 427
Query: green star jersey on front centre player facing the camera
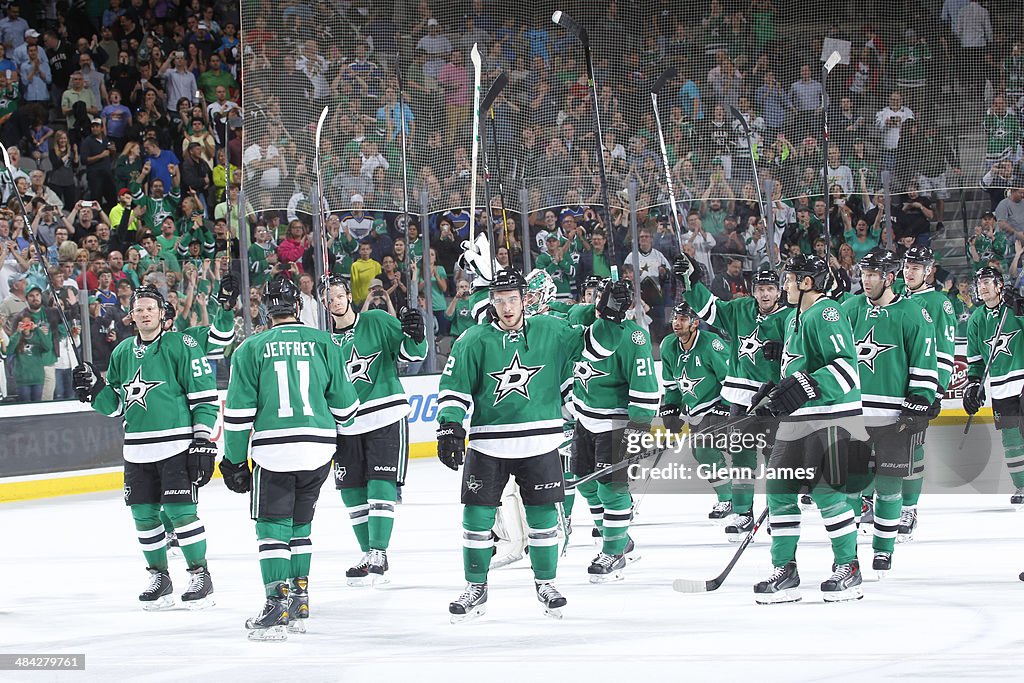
x: 516, y: 385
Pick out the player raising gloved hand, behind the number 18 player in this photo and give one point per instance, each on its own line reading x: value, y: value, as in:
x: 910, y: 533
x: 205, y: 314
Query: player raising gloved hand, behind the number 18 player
x: 755, y: 326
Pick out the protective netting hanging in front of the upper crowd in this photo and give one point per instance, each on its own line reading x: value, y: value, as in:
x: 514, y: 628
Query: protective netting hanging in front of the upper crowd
x: 924, y: 113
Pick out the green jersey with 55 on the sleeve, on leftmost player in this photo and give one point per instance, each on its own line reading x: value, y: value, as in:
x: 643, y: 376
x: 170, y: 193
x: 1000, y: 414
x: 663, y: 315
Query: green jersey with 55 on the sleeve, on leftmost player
x: 164, y: 392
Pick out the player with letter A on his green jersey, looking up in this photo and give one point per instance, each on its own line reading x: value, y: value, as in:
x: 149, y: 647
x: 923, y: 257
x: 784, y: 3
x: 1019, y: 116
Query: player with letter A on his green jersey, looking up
x: 695, y: 364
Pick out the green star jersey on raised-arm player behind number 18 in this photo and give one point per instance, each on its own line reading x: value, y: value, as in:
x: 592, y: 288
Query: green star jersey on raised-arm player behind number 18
x: 749, y: 330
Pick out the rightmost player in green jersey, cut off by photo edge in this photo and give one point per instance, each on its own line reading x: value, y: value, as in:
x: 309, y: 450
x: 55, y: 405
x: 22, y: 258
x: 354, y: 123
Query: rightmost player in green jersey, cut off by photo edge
x: 1005, y: 360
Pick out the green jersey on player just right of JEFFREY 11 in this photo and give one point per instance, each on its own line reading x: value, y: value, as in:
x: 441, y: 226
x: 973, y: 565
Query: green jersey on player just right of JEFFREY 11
x: 372, y: 349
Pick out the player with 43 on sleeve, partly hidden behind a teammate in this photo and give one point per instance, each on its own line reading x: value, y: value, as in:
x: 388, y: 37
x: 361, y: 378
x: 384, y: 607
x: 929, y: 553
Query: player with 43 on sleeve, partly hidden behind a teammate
x: 919, y: 274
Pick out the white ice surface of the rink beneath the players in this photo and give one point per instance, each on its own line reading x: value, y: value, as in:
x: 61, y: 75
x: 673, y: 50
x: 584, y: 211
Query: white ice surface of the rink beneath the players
x: 953, y: 611
